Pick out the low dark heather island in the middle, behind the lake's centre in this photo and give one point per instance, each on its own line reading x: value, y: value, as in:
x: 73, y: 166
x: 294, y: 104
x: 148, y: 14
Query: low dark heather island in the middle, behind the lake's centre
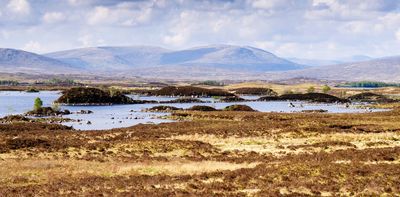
x: 191, y: 91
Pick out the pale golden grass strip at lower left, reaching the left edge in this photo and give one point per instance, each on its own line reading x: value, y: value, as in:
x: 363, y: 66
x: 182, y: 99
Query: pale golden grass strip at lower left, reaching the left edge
x: 24, y: 172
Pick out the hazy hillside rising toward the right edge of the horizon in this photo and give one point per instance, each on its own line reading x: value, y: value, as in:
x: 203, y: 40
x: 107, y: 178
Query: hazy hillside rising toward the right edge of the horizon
x: 382, y: 69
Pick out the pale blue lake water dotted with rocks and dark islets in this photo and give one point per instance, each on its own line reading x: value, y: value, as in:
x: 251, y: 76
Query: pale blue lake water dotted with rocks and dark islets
x: 117, y: 116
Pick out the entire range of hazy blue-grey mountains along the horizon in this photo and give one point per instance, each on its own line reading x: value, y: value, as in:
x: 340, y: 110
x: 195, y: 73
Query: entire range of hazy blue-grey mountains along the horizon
x: 207, y: 62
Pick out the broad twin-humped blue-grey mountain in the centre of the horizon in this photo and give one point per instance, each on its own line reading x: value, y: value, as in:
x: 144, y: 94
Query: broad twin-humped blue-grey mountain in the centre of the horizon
x: 228, y: 57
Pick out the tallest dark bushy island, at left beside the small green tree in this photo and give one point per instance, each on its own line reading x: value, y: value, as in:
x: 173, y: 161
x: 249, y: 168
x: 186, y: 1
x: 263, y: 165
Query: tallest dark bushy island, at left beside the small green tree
x: 93, y: 96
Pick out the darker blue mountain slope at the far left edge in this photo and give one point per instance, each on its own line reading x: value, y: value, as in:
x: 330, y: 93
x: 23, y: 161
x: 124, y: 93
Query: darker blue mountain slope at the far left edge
x: 12, y: 61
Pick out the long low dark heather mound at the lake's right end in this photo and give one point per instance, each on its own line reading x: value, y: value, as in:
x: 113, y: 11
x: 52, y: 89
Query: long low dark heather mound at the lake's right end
x: 311, y: 97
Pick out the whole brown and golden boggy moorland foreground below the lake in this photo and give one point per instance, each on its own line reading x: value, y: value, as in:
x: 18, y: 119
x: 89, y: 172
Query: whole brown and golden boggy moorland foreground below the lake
x: 208, y: 154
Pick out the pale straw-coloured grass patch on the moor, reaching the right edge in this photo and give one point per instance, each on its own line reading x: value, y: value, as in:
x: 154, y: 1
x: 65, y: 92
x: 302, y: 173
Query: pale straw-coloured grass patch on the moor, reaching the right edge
x: 285, y: 144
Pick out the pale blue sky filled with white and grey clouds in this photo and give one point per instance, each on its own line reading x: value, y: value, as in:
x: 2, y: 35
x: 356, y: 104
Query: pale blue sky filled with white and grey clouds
x: 313, y: 29
